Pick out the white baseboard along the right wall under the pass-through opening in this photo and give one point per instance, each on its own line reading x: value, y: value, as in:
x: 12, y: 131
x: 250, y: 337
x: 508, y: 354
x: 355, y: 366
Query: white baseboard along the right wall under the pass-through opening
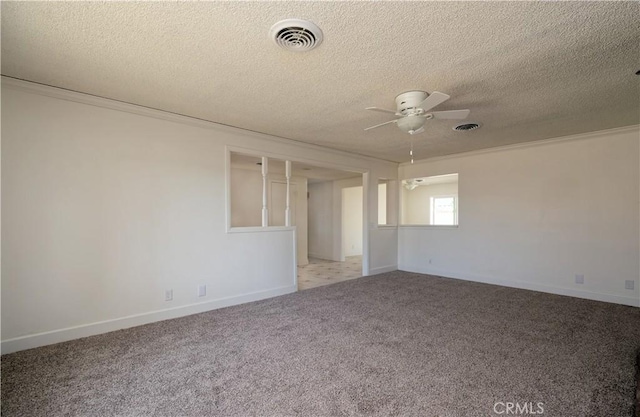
x: 552, y: 289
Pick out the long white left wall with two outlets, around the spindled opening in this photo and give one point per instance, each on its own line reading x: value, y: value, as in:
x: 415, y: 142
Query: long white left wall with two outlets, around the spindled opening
x: 106, y: 205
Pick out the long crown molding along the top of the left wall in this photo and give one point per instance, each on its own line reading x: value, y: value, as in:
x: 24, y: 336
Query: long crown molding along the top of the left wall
x: 92, y: 100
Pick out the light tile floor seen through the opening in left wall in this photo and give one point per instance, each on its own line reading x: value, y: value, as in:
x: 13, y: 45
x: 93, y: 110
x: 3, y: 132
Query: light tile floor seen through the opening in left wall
x: 322, y: 272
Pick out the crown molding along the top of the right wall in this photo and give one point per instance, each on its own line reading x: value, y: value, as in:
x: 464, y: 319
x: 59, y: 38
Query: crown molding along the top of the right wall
x: 532, y: 144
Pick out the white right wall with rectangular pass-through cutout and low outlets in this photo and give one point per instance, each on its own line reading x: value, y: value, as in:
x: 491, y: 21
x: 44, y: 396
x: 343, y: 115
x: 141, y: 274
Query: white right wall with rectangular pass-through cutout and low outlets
x: 534, y: 216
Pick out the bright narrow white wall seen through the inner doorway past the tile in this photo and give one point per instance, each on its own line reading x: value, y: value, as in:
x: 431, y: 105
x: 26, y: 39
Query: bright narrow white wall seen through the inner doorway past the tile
x: 352, y: 221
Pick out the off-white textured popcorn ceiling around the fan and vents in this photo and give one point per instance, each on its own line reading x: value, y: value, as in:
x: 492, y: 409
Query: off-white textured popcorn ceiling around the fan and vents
x: 527, y: 70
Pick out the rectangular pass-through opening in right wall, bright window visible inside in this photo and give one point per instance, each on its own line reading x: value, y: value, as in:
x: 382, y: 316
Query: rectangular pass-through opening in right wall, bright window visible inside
x: 430, y: 201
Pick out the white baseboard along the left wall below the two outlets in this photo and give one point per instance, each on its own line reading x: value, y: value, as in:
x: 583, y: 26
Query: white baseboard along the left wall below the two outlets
x: 92, y: 329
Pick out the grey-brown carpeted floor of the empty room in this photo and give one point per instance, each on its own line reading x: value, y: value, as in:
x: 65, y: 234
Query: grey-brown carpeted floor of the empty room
x: 393, y: 344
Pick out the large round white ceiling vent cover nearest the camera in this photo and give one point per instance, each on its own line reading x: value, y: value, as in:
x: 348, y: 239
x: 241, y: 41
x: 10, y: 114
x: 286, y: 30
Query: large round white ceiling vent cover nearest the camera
x: 296, y: 35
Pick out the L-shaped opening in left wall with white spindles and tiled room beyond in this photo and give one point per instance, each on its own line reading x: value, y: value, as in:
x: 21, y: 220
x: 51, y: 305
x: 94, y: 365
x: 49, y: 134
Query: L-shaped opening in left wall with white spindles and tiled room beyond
x: 258, y: 200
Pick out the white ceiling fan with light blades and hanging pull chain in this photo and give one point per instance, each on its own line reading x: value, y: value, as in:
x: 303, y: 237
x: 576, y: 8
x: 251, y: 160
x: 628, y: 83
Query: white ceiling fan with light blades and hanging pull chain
x: 413, y: 108
